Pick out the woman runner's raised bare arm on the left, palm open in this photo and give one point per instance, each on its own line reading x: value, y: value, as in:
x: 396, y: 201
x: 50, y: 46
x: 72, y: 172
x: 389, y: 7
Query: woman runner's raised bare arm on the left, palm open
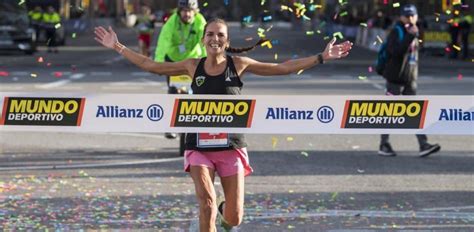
x: 108, y: 38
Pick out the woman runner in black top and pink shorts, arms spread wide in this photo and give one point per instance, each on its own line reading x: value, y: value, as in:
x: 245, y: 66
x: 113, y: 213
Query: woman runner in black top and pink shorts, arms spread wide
x: 219, y: 73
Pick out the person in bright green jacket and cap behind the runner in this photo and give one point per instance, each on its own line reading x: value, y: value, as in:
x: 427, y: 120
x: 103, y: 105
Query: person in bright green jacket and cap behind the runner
x: 180, y: 38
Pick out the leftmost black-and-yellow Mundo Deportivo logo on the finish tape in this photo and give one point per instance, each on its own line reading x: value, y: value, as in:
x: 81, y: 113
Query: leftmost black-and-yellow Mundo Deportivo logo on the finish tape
x: 40, y: 111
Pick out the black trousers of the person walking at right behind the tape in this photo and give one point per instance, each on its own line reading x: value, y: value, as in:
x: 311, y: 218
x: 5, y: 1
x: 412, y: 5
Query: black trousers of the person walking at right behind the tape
x: 407, y: 89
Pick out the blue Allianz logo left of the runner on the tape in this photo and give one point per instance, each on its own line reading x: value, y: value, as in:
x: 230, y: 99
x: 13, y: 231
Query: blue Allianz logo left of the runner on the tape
x: 153, y: 112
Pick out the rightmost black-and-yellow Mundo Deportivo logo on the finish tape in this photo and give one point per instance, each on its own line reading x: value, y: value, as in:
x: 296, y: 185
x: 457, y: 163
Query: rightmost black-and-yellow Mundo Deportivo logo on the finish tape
x: 384, y: 114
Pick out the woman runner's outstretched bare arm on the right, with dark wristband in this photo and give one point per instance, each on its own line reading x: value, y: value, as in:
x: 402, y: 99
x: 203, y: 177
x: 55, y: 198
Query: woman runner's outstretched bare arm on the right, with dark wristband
x: 331, y: 52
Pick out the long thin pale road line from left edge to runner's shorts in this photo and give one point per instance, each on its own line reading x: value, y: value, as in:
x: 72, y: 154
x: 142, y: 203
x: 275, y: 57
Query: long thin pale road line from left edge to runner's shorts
x: 74, y: 166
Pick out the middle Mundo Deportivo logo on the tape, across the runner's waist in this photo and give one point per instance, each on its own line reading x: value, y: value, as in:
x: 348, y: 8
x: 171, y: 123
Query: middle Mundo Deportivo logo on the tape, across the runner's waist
x: 213, y: 113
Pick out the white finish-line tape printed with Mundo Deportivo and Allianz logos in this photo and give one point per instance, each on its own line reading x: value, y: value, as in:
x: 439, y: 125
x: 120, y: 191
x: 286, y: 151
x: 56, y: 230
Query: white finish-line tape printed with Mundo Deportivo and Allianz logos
x: 237, y: 114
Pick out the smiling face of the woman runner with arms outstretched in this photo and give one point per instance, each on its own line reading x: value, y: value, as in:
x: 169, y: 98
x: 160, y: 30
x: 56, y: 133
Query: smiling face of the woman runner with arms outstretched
x: 216, y: 38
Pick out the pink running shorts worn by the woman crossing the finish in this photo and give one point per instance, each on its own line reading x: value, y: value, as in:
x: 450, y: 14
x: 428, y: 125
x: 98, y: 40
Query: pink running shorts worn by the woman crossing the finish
x: 226, y: 163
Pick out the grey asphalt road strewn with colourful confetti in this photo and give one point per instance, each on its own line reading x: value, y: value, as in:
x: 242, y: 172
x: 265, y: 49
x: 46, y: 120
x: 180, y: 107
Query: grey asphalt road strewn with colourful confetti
x: 134, y: 181
